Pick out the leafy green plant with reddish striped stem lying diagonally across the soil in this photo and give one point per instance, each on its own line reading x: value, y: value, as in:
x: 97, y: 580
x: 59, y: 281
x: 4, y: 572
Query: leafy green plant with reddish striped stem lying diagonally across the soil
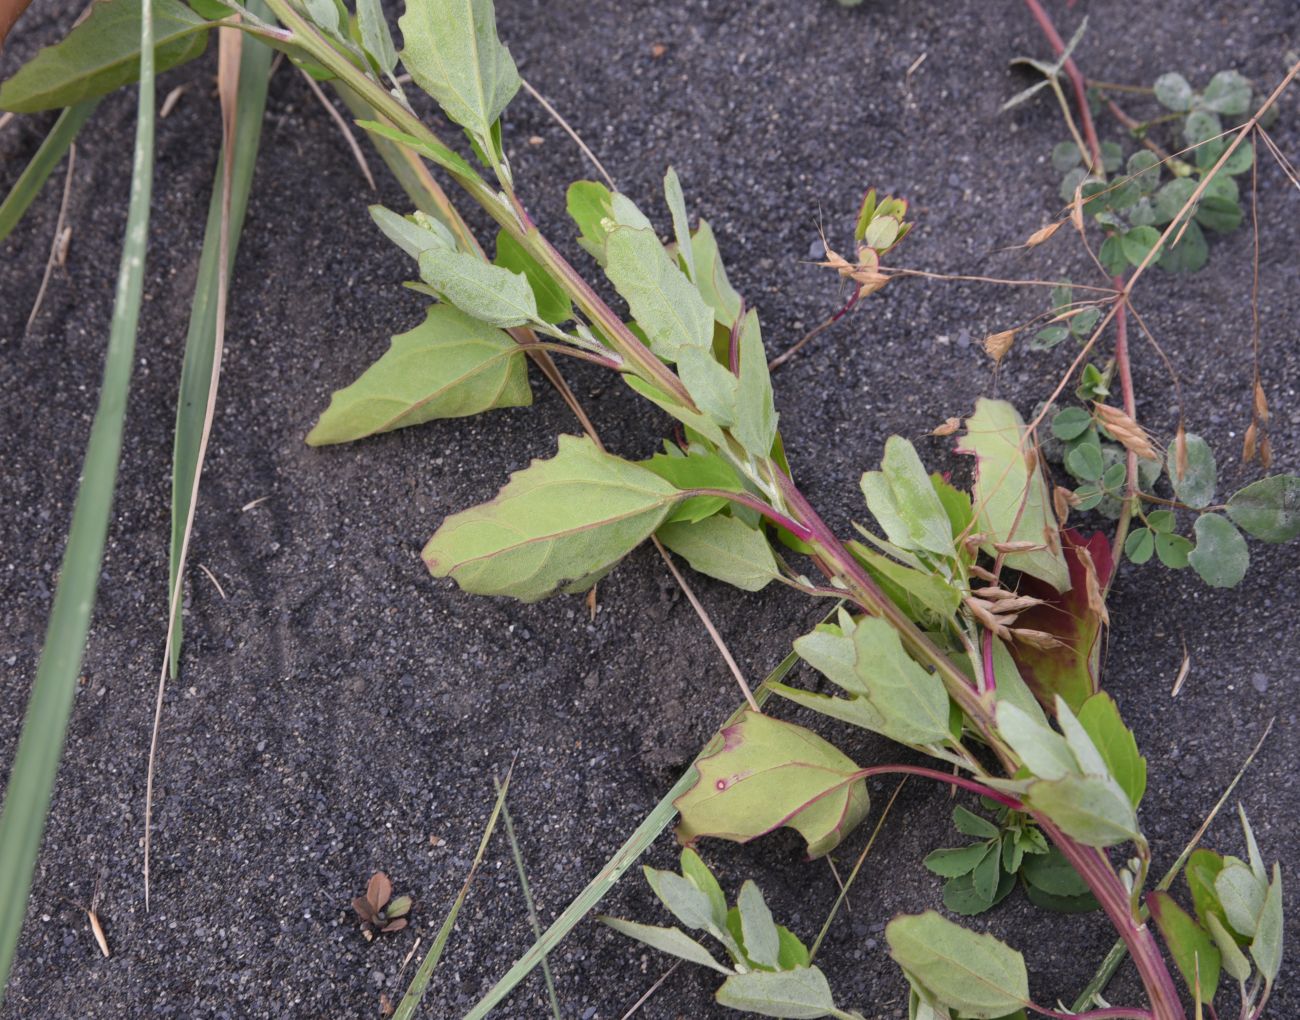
x: 970, y: 623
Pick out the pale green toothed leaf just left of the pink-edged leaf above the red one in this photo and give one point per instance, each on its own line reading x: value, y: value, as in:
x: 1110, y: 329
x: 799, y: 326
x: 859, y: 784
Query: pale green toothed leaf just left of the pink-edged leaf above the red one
x: 905, y: 504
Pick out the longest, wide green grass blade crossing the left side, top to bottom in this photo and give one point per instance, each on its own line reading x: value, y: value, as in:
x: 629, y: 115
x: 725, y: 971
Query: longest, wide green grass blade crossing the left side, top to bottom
x: 41, y: 745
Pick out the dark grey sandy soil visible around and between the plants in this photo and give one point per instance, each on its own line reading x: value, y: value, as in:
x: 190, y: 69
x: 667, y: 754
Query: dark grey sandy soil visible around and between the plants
x: 339, y: 708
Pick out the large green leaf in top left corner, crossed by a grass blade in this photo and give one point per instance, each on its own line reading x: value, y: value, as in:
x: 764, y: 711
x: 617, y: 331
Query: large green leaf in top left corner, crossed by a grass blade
x: 103, y: 54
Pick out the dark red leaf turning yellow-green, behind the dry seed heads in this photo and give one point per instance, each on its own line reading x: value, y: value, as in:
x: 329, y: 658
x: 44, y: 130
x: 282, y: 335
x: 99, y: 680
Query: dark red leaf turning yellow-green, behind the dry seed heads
x: 1071, y: 670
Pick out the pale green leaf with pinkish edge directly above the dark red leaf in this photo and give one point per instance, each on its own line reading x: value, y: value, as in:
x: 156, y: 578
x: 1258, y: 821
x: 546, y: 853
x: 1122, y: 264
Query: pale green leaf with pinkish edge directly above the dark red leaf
x: 1012, y: 497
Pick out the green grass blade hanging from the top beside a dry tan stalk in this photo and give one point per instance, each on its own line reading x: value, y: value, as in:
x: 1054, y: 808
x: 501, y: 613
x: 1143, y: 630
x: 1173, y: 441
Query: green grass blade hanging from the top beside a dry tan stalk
x: 202, y: 338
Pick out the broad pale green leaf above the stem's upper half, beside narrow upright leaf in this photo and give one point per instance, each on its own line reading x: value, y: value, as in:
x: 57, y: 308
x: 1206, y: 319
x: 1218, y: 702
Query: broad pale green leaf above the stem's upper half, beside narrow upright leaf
x: 662, y: 301
